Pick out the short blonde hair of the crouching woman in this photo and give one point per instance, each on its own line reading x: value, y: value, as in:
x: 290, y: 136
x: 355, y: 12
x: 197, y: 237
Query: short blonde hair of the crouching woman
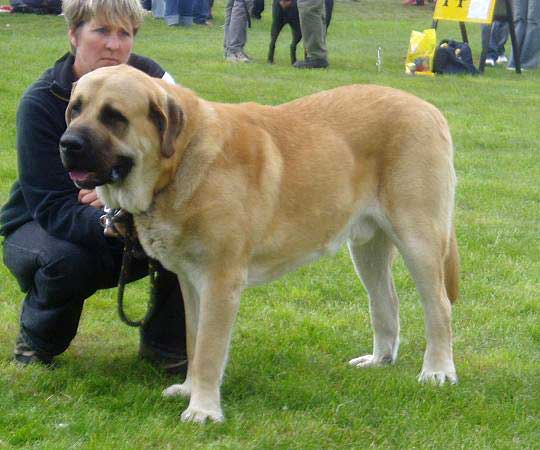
x: 77, y: 12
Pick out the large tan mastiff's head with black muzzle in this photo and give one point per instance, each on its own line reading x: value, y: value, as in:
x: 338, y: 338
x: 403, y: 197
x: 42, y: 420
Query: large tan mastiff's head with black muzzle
x: 122, y: 124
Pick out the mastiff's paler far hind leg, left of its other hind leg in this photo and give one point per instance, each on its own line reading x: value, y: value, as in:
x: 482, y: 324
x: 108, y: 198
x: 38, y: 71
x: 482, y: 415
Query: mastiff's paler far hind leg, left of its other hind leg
x: 373, y: 263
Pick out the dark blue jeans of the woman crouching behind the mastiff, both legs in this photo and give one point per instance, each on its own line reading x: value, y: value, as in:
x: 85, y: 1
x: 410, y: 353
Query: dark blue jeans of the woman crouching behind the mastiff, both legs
x: 58, y: 276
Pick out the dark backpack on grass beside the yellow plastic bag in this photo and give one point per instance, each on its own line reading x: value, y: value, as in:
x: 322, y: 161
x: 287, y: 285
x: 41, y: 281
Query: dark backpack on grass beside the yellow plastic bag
x: 453, y: 57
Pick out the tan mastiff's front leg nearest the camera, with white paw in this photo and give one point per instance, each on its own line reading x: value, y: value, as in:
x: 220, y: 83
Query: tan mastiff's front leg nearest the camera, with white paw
x: 218, y: 307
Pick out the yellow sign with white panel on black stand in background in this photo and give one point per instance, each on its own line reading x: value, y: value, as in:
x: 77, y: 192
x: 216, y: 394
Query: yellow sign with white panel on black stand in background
x: 479, y: 11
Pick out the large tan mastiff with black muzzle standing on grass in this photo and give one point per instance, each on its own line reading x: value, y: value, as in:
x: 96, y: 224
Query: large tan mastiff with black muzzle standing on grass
x: 228, y: 196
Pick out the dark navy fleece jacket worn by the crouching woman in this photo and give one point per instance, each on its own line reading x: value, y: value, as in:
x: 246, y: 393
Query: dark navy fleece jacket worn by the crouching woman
x: 44, y: 191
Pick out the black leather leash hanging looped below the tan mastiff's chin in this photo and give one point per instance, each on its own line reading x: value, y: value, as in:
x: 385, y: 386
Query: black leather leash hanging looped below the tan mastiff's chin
x: 113, y: 219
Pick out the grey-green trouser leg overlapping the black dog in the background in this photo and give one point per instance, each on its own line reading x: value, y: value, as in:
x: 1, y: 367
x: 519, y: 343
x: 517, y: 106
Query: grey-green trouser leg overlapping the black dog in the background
x: 312, y: 22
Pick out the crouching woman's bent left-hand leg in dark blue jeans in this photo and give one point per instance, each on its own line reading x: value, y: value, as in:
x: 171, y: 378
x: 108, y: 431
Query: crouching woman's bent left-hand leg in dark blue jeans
x: 57, y: 276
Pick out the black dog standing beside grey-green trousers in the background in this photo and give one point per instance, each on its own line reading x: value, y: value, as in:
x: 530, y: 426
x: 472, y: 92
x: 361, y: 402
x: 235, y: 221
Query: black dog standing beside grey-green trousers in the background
x: 286, y: 12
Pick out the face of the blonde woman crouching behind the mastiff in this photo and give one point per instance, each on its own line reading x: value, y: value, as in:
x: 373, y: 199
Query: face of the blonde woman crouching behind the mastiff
x: 99, y: 44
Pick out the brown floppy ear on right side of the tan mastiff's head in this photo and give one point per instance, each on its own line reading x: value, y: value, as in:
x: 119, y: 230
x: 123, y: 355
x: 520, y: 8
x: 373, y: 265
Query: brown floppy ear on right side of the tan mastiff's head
x: 169, y: 123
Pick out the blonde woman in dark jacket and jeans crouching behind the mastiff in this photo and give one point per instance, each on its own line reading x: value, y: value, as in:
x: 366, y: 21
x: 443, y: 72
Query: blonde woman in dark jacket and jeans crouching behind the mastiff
x: 54, y: 244
